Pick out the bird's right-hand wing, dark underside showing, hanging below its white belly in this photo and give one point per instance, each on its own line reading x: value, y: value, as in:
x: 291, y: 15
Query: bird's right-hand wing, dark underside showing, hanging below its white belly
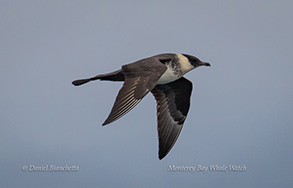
x: 173, y: 101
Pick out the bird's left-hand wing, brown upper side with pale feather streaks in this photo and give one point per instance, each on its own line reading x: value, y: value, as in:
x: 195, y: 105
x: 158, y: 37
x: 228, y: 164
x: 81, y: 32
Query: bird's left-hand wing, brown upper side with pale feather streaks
x: 140, y: 78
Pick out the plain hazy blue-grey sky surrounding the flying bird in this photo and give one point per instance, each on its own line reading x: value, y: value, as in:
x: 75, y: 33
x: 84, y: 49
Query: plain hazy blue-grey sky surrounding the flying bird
x: 241, y: 106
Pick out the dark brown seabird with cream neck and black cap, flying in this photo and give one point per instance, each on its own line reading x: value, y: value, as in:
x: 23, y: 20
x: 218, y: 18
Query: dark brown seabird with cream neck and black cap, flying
x: 162, y: 75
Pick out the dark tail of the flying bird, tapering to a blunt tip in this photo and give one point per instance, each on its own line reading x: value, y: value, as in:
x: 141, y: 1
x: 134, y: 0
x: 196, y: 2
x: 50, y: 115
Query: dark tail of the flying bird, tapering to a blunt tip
x: 113, y: 76
